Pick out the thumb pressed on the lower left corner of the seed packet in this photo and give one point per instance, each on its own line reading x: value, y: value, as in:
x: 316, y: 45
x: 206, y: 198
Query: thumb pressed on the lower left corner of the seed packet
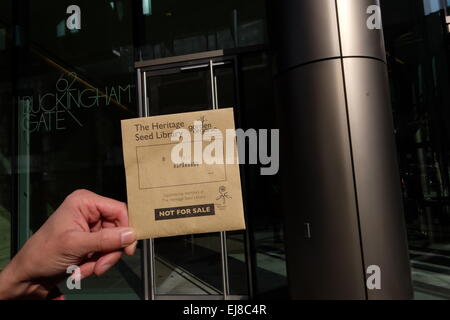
x: 105, y: 240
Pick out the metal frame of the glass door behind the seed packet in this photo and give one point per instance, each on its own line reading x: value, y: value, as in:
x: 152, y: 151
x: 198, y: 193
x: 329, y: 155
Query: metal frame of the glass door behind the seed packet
x: 148, y: 252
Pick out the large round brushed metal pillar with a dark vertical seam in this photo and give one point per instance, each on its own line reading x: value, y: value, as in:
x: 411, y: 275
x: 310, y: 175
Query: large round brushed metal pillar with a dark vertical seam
x: 342, y: 198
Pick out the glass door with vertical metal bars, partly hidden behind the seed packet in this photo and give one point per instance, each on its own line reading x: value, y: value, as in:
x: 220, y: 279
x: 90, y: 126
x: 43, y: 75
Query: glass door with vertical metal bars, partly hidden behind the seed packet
x: 193, y: 266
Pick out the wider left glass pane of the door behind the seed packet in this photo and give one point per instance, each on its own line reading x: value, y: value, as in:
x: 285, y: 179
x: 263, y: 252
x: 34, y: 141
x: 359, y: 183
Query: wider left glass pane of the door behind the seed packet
x: 185, y: 264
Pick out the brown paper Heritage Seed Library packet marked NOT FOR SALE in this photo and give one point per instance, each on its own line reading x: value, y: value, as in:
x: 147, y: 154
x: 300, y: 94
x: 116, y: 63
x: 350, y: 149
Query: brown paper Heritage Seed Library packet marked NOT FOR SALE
x: 169, y: 199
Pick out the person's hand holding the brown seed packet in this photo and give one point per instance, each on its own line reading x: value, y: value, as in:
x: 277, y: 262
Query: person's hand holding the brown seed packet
x: 87, y: 230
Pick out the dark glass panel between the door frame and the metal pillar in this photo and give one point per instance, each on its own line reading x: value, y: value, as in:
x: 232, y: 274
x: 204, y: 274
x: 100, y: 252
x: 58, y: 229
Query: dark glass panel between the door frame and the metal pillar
x: 263, y: 192
